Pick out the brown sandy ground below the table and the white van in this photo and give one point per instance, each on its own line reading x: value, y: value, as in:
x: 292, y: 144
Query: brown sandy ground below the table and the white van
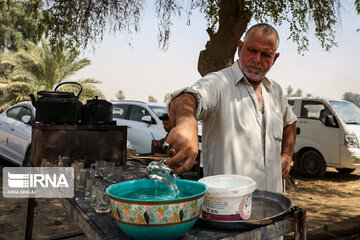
x: 332, y: 206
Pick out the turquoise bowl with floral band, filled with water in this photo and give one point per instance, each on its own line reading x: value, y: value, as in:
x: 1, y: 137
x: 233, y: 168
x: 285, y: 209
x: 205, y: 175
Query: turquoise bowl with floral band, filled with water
x: 145, y: 209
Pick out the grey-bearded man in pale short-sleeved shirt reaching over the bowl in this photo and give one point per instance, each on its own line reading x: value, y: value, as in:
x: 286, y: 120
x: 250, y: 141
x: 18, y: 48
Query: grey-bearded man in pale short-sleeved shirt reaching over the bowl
x: 248, y: 127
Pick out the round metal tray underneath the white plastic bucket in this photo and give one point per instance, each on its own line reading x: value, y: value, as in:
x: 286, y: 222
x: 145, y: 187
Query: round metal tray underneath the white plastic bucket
x: 267, y: 208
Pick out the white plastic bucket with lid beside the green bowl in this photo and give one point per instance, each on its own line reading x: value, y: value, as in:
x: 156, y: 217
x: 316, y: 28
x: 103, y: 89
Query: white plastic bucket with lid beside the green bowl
x: 229, y: 197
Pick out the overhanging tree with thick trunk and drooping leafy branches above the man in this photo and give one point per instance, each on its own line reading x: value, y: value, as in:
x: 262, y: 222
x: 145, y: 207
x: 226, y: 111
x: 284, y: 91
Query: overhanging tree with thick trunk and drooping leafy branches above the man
x: 78, y: 23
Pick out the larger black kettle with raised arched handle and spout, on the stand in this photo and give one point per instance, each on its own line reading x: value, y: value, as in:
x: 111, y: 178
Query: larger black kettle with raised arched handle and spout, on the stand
x: 57, y: 107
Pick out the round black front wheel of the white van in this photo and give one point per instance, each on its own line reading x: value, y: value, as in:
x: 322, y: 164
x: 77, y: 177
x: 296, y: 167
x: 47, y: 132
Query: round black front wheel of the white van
x: 313, y: 164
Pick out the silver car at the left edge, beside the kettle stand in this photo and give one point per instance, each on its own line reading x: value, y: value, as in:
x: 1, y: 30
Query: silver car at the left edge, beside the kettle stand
x: 15, y: 133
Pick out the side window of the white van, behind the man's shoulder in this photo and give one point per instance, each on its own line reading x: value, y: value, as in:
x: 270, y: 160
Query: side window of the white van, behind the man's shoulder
x: 314, y: 110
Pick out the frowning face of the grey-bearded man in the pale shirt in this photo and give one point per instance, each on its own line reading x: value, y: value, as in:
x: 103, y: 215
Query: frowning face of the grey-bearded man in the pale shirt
x: 257, y: 54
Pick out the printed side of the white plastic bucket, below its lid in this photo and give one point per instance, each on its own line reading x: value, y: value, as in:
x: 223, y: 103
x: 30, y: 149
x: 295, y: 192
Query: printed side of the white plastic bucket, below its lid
x: 227, y: 208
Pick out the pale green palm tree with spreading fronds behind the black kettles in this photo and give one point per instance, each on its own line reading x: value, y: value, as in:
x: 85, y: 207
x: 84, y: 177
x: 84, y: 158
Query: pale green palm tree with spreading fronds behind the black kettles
x: 40, y: 68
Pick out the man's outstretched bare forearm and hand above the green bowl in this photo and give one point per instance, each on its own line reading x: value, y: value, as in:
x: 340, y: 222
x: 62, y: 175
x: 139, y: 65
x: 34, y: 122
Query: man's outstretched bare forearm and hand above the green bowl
x: 183, y: 136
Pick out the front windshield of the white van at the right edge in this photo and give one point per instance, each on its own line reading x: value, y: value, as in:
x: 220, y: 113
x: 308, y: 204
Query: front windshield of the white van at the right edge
x: 348, y: 112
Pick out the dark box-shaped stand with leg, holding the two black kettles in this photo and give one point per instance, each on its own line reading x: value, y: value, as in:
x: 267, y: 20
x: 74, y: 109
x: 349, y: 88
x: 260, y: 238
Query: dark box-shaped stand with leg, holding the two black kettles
x: 91, y: 142
